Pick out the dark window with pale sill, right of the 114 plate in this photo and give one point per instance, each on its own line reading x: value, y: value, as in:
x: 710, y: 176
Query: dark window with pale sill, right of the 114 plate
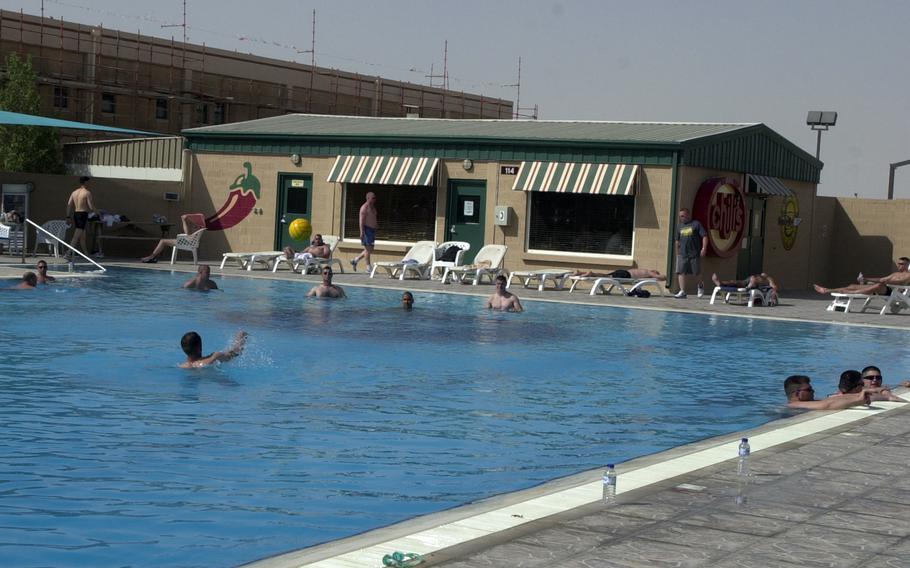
x: 592, y: 224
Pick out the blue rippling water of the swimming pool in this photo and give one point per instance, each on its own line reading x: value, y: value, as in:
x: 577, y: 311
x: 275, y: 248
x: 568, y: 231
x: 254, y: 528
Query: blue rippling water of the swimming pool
x: 343, y: 416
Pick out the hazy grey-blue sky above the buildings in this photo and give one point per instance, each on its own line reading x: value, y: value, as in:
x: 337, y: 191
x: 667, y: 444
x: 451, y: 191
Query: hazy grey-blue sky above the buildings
x: 634, y: 60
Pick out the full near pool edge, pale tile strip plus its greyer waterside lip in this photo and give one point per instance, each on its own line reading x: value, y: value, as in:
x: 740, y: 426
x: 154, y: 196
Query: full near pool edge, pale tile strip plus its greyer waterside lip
x: 468, y: 526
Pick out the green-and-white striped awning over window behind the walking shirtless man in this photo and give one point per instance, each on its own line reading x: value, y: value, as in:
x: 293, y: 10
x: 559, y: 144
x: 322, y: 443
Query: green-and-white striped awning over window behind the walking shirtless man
x: 386, y: 170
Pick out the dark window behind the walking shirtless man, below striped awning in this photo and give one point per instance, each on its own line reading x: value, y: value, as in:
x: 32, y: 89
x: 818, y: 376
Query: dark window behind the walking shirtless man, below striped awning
x: 405, y: 212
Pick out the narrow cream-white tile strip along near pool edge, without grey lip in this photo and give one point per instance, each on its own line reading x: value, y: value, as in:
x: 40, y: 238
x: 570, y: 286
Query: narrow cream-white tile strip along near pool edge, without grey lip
x: 484, y: 524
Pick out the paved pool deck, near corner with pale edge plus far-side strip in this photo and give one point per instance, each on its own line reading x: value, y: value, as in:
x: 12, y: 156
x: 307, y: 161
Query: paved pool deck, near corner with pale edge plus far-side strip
x: 827, y: 489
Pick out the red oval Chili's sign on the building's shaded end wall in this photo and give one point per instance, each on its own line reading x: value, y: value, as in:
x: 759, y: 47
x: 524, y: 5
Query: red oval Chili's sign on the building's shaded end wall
x: 721, y: 207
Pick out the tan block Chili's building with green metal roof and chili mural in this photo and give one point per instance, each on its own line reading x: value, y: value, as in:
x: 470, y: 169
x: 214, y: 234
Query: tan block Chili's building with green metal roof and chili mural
x: 559, y: 194
